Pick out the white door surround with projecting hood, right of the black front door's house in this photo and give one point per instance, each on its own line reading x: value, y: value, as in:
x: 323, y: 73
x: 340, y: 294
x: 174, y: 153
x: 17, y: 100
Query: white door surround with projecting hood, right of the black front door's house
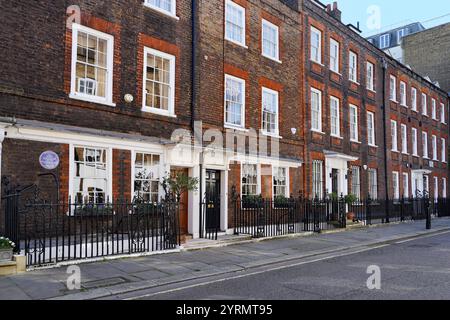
x: 339, y: 162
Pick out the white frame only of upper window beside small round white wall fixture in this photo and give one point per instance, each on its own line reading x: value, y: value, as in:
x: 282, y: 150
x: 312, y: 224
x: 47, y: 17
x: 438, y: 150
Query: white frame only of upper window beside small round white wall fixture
x: 171, y: 104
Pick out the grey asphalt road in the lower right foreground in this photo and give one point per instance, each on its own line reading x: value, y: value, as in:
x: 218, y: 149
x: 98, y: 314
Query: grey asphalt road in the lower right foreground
x: 415, y: 269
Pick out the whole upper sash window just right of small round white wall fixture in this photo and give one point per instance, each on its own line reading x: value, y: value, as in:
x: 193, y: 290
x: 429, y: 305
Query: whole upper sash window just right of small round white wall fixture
x: 159, y: 82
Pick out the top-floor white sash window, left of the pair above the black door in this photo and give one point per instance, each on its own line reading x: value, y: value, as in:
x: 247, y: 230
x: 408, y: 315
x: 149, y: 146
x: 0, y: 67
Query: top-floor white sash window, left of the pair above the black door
x: 235, y: 23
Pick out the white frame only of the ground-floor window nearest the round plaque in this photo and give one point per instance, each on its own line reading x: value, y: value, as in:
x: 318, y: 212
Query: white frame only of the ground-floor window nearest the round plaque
x: 72, y: 169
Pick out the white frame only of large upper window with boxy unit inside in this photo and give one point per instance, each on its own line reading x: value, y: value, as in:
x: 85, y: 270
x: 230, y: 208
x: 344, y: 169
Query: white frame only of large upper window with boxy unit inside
x: 108, y: 99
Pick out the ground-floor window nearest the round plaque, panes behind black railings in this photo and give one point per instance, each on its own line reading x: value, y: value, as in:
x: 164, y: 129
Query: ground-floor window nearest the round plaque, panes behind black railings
x: 90, y: 175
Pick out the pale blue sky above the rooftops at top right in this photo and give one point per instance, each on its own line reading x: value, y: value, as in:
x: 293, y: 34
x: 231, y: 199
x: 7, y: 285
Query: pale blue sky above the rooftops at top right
x: 394, y: 13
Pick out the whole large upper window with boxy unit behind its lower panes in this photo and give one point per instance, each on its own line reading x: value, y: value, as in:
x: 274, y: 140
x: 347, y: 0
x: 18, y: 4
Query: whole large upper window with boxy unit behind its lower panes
x: 92, y: 65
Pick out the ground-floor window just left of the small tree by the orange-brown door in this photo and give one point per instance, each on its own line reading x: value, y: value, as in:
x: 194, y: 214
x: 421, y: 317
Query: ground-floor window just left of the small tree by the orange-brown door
x: 146, y: 176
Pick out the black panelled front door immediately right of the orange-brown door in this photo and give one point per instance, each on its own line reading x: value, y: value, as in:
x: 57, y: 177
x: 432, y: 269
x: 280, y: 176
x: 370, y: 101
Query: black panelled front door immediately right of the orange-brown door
x: 212, y: 180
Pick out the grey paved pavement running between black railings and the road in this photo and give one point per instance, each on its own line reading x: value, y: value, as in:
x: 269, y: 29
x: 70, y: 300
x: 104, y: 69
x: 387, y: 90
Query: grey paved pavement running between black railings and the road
x: 112, y: 279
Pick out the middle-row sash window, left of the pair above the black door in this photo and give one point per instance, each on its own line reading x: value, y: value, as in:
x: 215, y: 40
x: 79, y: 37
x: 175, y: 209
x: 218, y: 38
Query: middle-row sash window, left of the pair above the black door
x: 234, y: 101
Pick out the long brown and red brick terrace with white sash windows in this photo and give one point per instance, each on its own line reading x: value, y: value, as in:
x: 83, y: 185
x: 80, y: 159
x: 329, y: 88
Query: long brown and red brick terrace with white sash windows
x: 109, y: 86
